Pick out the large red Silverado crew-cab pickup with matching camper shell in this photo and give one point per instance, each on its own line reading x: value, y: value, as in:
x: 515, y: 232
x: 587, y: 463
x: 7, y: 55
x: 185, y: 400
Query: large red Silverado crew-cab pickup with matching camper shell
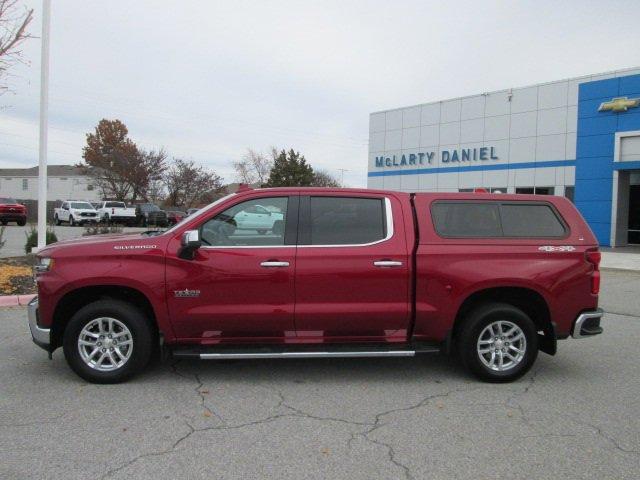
x: 343, y: 273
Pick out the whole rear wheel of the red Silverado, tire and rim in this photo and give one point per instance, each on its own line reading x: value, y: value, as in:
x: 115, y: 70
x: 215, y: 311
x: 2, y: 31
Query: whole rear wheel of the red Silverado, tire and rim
x: 498, y: 342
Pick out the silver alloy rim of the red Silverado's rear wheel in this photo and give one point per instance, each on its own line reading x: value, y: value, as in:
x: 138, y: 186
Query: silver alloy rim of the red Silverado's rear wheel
x: 501, y: 345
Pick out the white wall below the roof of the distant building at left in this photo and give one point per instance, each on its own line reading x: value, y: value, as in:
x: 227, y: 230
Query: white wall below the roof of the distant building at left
x: 59, y: 188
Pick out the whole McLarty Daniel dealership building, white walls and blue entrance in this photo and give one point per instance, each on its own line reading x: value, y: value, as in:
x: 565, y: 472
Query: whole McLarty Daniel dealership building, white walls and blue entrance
x: 578, y: 137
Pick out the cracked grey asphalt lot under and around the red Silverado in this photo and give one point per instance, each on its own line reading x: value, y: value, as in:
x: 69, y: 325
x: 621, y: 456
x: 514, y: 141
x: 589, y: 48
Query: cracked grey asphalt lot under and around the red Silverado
x: 575, y: 415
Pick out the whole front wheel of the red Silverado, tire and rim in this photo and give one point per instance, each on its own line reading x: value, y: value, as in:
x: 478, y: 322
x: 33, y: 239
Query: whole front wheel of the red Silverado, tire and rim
x: 108, y: 341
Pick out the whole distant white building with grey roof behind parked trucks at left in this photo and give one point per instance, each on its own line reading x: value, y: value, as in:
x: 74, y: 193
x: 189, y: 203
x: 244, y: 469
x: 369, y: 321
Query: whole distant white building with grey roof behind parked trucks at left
x: 64, y: 182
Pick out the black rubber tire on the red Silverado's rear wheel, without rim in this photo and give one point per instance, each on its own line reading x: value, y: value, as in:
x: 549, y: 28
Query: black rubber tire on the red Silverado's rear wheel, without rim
x: 475, y: 324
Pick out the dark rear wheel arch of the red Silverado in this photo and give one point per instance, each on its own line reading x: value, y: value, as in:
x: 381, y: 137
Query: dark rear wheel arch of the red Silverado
x: 526, y: 299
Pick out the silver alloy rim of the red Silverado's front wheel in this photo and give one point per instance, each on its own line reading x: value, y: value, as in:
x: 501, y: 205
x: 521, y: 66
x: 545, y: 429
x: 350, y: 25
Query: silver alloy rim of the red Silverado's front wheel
x: 105, y: 344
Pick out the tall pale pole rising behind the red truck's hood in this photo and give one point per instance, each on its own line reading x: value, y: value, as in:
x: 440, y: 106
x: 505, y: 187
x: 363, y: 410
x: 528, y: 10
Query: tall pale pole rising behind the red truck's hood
x: 44, y: 113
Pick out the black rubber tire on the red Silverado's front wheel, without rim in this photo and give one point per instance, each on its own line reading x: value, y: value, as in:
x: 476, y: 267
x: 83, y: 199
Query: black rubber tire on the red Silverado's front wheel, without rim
x: 141, y: 332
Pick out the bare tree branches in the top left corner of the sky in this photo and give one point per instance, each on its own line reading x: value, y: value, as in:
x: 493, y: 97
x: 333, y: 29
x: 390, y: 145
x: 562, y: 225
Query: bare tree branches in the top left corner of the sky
x: 13, y: 32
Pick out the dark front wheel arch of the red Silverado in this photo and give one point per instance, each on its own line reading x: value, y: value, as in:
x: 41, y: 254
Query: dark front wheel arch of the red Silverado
x: 72, y: 301
